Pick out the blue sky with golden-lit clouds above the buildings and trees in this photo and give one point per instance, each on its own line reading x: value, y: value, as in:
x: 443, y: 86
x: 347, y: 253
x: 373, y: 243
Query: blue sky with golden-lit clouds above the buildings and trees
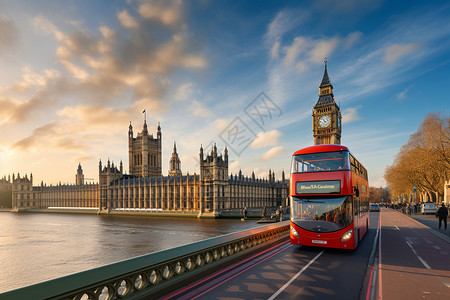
x: 75, y: 73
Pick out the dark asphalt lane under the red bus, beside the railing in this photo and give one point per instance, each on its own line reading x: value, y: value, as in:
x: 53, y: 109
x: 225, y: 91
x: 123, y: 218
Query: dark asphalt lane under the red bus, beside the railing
x: 288, y: 271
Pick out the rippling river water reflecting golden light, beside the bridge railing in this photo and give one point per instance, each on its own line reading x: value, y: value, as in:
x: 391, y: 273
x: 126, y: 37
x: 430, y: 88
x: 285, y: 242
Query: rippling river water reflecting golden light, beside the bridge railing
x: 35, y: 247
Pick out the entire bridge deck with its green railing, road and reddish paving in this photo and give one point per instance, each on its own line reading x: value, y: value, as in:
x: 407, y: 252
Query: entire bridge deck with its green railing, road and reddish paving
x: 401, y: 257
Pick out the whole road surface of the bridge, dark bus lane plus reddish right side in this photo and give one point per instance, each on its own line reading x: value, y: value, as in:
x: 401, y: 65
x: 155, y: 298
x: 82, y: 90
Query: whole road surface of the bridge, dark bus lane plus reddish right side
x: 403, y: 260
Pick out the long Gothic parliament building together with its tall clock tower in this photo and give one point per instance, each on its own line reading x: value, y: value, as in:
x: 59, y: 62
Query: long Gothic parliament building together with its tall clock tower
x: 213, y: 192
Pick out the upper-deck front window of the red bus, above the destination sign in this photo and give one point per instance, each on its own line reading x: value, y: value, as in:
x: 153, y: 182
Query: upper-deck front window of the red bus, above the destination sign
x: 320, y: 162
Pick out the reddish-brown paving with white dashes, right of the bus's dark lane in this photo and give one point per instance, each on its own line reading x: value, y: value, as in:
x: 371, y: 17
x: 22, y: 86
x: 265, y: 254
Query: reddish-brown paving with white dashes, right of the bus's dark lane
x: 413, y: 258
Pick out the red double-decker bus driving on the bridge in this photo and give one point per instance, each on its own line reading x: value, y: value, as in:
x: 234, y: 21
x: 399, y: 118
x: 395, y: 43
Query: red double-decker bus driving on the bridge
x: 329, y: 197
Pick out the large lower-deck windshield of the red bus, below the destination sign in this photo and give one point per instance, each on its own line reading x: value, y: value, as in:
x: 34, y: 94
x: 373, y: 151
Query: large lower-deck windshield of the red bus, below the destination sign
x: 322, y: 214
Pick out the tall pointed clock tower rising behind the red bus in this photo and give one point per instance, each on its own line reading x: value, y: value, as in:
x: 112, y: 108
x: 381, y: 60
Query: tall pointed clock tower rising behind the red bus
x: 326, y: 115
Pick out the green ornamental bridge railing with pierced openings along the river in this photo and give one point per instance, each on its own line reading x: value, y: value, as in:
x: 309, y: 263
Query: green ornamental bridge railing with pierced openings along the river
x: 154, y: 274
